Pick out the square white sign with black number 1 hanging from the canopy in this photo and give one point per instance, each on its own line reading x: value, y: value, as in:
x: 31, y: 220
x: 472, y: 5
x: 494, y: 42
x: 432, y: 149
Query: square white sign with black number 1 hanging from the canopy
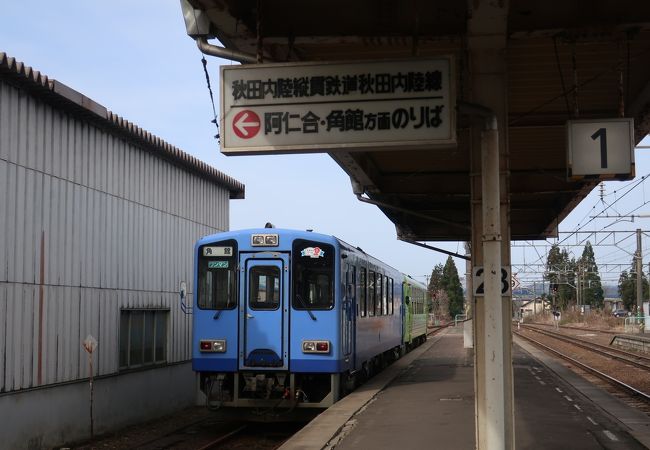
x: 602, y: 149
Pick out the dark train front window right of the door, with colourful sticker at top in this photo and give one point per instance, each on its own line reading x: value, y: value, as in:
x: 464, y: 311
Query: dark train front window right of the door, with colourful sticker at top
x: 313, y: 275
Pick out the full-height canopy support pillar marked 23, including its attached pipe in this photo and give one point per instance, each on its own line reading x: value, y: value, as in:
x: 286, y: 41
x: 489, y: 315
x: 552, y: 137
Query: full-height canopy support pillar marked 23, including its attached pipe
x: 494, y: 404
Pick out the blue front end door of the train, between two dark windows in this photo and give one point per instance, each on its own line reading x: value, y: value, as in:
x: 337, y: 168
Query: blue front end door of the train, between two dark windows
x: 263, y: 311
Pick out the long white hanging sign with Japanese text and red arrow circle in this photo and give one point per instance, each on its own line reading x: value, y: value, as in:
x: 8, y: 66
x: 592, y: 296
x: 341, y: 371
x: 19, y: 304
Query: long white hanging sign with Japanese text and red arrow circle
x: 322, y: 107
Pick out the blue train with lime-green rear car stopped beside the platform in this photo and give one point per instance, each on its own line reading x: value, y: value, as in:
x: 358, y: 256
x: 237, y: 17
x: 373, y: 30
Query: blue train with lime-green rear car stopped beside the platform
x: 287, y: 319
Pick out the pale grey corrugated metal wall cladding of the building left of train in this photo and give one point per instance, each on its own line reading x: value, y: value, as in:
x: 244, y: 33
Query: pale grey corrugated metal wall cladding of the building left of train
x: 103, y: 225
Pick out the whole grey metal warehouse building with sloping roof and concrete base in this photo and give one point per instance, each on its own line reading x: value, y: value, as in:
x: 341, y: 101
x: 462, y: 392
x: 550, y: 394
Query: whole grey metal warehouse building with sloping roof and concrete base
x: 98, y: 219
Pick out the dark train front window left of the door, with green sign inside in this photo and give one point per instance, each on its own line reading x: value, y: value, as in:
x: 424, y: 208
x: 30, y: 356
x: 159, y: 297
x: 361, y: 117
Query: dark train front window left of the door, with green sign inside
x: 218, y: 276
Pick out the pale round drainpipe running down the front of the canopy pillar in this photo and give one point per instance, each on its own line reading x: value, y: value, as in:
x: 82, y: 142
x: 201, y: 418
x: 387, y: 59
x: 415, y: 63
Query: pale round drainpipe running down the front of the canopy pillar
x: 493, y: 332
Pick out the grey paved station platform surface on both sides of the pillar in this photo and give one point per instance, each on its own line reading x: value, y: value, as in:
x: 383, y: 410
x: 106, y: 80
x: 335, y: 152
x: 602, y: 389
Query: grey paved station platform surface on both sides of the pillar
x: 426, y: 400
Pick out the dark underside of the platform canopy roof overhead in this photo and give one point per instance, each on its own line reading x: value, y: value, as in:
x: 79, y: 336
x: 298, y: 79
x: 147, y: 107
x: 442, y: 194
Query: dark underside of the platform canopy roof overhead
x: 565, y: 60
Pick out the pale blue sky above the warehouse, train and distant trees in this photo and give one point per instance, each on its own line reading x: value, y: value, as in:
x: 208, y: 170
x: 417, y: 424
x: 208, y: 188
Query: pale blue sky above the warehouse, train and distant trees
x: 135, y: 58
